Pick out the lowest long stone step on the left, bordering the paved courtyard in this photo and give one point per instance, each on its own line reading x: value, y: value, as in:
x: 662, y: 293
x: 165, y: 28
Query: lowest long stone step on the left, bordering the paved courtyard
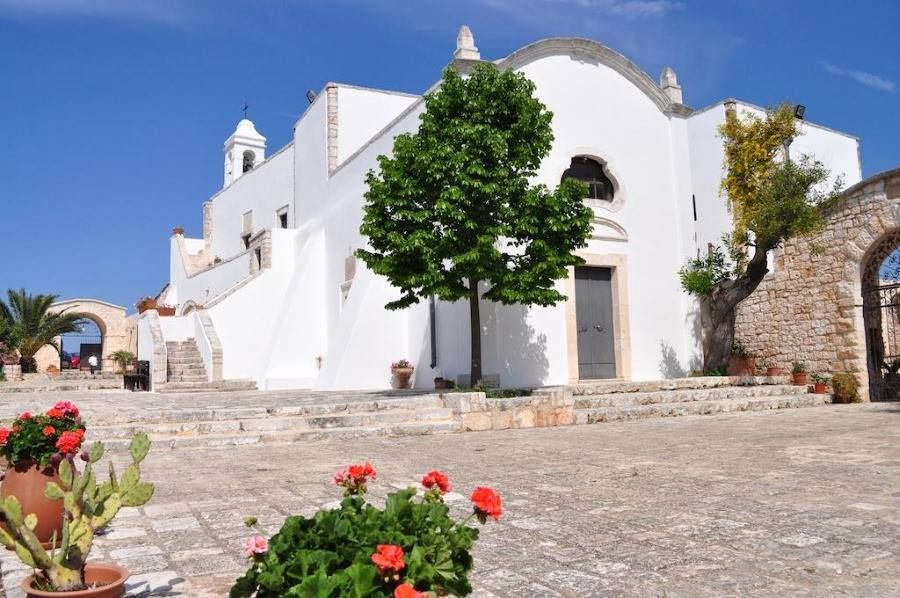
x: 291, y: 436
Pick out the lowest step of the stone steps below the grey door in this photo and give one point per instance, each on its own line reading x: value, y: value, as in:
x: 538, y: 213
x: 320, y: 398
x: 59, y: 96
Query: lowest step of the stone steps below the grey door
x: 609, y: 414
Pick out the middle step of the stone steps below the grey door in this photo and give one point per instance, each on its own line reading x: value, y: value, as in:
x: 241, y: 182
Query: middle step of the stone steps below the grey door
x: 625, y: 399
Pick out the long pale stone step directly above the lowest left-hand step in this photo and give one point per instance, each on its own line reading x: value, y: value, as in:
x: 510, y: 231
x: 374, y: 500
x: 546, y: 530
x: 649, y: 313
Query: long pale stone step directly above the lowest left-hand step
x: 274, y: 424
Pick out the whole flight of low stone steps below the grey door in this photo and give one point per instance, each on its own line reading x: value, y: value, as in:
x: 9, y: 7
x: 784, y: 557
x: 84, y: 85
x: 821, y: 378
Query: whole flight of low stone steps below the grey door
x: 621, y: 401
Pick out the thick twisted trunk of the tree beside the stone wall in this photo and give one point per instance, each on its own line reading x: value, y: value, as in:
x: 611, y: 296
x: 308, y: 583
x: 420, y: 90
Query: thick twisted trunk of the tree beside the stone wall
x: 718, y: 312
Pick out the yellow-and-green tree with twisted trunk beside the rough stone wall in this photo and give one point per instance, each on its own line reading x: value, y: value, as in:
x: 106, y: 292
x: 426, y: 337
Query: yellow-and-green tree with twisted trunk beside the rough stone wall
x: 772, y: 199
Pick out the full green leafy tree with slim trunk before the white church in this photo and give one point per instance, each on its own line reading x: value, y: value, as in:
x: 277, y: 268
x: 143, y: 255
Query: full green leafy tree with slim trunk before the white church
x: 453, y: 212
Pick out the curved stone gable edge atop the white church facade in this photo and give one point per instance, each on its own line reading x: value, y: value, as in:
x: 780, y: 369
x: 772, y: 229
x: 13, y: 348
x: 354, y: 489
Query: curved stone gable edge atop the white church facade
x: 588, y: 50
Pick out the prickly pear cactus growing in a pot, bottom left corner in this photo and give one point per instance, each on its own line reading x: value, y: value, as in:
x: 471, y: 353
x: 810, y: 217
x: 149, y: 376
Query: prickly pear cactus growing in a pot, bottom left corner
x: 89, y: 506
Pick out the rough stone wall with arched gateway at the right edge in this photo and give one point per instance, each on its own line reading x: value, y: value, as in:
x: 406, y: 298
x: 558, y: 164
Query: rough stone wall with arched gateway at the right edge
x: 826, y: 303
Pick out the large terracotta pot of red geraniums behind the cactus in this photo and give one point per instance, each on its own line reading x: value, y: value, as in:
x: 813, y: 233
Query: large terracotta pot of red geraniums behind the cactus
x: 27, y: 482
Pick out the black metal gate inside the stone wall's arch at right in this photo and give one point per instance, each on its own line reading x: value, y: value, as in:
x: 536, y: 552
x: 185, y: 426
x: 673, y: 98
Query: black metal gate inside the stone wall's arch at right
x: 881, y: 314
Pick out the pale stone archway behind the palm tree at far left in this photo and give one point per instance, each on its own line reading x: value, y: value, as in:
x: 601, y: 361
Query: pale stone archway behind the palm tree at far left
x: 117, y: 330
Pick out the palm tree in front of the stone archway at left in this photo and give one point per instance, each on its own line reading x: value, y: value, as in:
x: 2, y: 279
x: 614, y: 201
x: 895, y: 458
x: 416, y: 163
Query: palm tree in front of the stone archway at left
x: 34, y: 323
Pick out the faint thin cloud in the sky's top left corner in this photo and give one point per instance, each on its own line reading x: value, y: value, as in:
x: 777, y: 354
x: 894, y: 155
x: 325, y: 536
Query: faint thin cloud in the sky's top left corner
x: 160, y: 11
